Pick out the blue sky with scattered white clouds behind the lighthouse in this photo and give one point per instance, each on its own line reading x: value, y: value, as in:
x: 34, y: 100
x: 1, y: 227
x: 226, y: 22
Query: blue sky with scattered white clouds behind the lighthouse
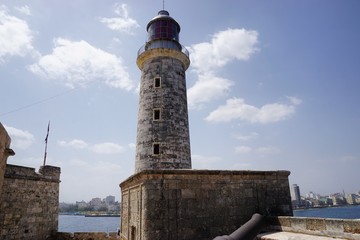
x: 273, y: 85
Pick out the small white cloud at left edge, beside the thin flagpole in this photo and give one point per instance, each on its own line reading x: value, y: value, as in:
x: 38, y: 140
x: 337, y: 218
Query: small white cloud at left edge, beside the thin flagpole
x: 21, y: 139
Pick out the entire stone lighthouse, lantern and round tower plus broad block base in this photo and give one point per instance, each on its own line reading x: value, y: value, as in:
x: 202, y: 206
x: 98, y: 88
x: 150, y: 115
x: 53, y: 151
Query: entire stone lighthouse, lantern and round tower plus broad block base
x: 166, y: 199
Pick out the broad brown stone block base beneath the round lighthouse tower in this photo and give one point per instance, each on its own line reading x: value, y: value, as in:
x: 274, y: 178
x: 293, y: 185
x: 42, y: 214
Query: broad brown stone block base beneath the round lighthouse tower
x: 199, y: 204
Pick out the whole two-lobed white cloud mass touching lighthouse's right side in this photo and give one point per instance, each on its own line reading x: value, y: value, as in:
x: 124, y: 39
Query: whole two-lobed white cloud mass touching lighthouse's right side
x: 209, y: 57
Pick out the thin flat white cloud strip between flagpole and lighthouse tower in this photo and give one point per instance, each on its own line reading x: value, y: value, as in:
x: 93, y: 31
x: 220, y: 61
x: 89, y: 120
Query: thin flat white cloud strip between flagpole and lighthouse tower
x: 100, y: 148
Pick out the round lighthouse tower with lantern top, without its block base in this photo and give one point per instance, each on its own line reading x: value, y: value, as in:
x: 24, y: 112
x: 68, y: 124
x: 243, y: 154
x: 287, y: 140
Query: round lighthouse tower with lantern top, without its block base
x: 163, y: 128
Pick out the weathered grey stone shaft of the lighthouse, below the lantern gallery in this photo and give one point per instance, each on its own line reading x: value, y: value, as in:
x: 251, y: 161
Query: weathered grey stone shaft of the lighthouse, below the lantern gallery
x: 171, y: 130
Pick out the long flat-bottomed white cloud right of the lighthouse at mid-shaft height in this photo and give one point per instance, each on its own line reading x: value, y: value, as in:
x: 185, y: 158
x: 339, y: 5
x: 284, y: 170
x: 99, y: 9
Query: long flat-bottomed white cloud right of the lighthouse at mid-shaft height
x: 236, y: 108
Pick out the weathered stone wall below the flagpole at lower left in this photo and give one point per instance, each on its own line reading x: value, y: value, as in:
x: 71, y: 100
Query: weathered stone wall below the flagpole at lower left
x: 29, y: 203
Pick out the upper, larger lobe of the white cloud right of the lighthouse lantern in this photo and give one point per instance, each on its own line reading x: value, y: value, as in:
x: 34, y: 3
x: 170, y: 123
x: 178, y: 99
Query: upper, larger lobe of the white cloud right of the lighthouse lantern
x: 225, y: 46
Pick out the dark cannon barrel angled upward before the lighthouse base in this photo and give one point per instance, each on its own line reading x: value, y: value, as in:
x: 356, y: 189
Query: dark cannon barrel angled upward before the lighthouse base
x: 248, y: 231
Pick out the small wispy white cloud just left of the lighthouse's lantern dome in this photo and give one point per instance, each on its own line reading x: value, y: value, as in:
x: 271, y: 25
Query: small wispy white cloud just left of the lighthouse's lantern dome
x: 123, y: 23
